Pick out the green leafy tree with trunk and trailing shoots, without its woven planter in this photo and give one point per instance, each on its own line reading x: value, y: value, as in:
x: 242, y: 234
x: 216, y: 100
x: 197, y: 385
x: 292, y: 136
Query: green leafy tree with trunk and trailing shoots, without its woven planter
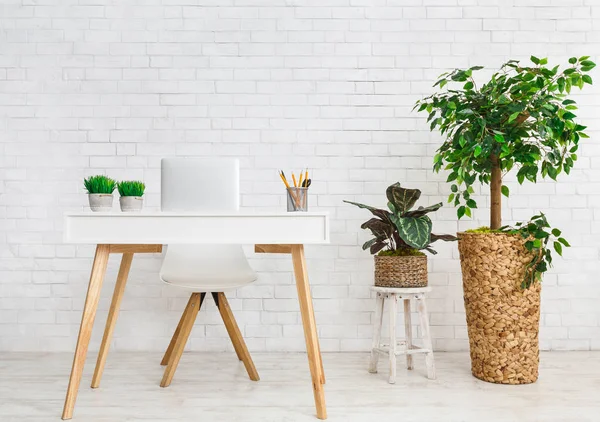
x: 520, y: 119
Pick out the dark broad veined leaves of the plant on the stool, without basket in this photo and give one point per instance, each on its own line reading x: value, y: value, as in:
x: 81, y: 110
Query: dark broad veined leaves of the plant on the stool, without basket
x: 401, y: 228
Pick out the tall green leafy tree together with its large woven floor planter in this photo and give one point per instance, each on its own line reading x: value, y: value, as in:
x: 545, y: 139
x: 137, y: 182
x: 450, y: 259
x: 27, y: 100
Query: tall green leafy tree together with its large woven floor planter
x: 520, y: 120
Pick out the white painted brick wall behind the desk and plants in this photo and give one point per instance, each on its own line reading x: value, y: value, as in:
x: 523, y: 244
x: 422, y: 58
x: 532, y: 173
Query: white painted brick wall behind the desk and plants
x: 100, y: 86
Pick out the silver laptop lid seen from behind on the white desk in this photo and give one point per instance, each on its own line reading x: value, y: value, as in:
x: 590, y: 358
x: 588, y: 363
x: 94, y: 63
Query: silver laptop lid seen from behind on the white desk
x: 200, y: 184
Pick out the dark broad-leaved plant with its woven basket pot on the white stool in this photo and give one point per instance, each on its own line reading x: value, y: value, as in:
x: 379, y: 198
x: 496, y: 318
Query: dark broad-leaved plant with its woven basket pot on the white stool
x: 400, y: 235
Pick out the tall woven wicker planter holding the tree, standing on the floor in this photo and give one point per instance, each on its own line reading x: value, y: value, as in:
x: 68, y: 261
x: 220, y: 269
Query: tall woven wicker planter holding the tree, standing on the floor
x: 502, y: 318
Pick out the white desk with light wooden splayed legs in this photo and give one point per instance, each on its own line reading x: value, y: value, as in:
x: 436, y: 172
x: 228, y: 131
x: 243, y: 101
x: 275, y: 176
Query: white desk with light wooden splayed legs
x: 133, y: 233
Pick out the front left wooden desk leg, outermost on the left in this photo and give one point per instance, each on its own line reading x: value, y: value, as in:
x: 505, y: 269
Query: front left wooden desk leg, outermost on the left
x: 85, y: 329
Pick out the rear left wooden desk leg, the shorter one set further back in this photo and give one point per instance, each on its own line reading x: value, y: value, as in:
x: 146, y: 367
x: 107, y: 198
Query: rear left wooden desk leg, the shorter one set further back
x: 113, y: 314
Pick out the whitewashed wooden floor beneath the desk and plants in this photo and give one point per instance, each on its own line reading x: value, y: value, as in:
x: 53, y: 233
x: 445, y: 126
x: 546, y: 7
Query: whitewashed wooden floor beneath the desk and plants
x: 214, y: 387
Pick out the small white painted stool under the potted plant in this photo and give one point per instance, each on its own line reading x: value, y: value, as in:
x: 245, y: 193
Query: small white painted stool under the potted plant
x: 405, y: 347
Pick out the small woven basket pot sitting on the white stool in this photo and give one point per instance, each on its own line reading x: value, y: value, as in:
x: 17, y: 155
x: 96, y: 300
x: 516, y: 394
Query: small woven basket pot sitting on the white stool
x: 400, y: 271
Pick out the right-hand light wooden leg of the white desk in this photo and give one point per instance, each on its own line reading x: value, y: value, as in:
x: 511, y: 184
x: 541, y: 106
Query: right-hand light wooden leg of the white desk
x: 310, y: 329
